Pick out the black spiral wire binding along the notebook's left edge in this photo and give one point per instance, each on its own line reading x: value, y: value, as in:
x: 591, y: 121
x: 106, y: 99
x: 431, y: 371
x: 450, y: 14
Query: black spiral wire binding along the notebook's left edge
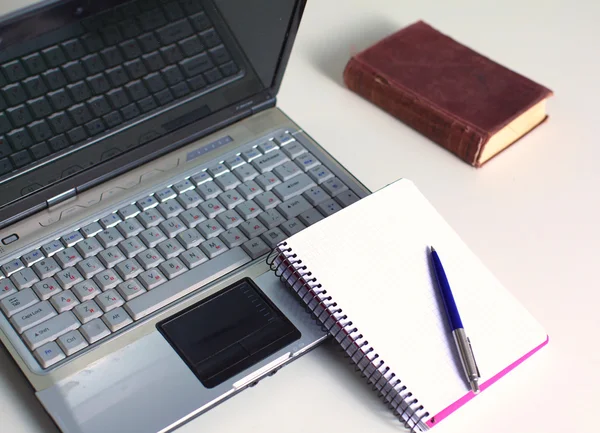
x: 288, y: 267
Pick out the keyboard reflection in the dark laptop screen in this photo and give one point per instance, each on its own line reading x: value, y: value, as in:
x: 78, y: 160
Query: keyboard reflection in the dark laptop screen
x: 112, y: 70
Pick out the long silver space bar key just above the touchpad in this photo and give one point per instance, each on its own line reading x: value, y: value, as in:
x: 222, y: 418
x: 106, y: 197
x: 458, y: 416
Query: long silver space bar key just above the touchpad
x: 178, y: 287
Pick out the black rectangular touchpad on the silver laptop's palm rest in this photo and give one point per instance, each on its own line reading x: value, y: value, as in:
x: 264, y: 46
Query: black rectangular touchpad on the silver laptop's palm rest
x: 228, y: 332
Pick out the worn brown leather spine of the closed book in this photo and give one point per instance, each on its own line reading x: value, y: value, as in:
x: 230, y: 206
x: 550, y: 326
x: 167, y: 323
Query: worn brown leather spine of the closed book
x: 441, y: 127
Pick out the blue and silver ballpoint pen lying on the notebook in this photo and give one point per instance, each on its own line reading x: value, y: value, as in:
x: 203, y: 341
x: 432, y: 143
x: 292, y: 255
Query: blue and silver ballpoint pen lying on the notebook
x: 463, y: 344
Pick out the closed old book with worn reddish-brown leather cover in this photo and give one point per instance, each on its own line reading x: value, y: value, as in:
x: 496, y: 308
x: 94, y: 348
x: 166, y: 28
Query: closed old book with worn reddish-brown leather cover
x: 461, y: 100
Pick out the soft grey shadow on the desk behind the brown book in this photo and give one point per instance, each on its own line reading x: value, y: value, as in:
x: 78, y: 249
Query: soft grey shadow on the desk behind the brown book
x: 331, y: 59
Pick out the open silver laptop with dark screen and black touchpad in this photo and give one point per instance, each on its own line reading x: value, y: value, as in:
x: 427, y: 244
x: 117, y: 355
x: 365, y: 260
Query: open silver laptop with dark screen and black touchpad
x: 145, y: 173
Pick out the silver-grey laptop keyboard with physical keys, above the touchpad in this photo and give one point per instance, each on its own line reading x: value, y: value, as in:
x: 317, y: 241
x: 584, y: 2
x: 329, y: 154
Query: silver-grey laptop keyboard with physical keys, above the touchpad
x: 74, y: 292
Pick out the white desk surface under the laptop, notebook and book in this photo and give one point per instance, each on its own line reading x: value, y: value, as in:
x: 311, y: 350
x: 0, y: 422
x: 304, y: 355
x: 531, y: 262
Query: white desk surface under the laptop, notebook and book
x: 532, y: 215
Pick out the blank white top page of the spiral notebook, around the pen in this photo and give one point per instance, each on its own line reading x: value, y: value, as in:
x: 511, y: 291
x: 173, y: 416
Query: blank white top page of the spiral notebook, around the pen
x: 373, y: 259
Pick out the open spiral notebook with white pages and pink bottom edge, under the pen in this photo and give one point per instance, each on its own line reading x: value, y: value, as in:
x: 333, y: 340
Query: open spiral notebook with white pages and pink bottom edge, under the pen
x: 364, y: 274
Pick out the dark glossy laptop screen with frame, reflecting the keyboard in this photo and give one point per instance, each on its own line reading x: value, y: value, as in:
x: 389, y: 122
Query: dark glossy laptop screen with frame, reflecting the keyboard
x: 88, y: 88
